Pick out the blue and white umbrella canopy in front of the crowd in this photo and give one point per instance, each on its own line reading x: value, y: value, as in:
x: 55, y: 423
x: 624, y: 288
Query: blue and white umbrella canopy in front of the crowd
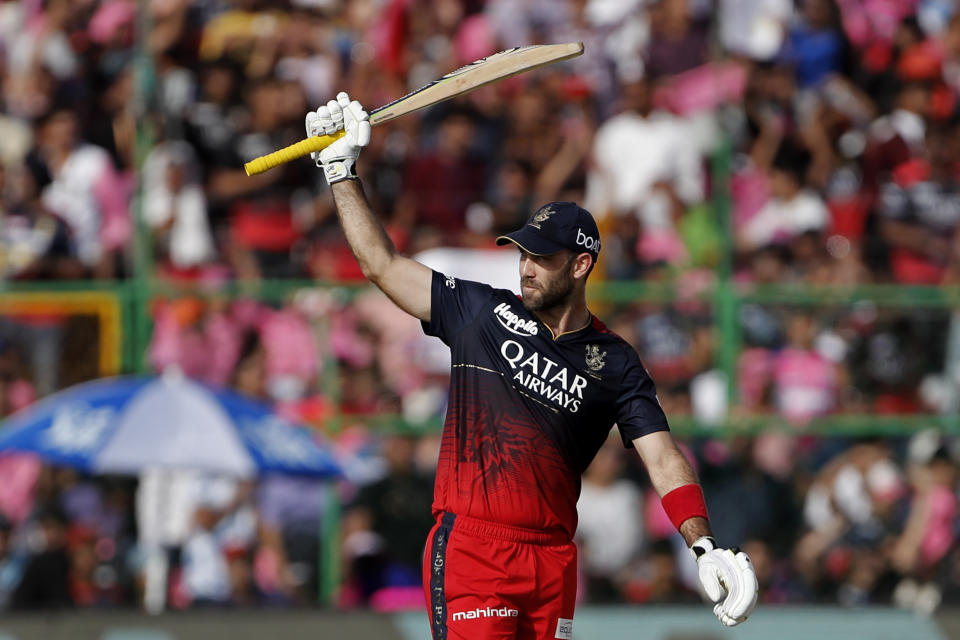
x: 126, y: 425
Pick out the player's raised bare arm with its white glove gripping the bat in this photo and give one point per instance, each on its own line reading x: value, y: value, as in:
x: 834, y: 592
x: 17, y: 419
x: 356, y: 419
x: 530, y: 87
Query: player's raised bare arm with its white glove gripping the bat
x: 405, y: 281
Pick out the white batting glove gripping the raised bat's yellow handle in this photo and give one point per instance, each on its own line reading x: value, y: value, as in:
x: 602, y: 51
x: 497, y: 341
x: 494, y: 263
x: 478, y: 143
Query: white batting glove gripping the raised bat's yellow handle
x: 339, y: 158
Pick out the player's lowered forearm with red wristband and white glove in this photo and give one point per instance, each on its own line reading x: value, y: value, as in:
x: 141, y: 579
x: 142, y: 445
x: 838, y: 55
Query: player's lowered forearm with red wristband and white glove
x: 726, y: 575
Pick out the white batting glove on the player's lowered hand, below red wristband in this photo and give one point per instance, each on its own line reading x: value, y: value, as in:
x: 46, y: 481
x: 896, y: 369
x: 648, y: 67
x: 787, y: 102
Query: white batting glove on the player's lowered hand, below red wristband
x: 728, y: 579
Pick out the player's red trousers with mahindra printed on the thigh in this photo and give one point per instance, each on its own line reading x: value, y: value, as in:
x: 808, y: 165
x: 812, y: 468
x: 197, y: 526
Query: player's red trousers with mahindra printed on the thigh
x: 486, y: 581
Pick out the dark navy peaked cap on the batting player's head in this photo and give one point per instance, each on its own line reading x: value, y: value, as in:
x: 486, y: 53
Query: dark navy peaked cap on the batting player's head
x: 557, y: 226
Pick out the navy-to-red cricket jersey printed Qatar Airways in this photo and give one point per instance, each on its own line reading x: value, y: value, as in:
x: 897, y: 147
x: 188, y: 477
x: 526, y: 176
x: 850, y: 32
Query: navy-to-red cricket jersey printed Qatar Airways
x: 527, y: 411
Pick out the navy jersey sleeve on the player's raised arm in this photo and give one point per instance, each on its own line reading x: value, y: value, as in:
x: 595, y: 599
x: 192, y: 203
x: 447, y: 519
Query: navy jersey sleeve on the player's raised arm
x: 454, y: 304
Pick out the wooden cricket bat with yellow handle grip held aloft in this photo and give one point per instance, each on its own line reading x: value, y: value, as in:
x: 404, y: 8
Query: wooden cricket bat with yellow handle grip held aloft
x: 476, y: 74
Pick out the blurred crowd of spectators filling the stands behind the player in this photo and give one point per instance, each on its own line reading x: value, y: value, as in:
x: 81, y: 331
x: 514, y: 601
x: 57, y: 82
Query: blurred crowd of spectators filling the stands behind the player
x: 840, y: 123
